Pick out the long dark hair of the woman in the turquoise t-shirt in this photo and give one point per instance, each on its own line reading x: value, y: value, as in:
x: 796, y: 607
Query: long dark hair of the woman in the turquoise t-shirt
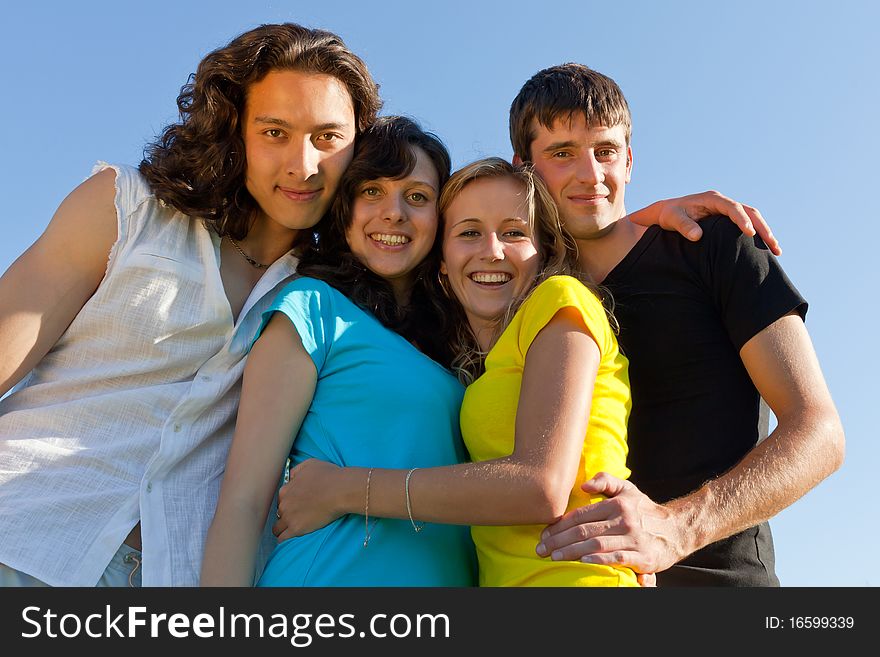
x: 385, y: 150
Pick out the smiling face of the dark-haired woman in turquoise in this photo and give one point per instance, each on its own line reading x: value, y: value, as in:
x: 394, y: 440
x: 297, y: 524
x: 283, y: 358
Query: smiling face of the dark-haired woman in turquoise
x: 394, y: 223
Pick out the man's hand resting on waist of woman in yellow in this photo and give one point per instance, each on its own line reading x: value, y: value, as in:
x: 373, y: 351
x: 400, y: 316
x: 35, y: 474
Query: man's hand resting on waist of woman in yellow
x: 626, y: 529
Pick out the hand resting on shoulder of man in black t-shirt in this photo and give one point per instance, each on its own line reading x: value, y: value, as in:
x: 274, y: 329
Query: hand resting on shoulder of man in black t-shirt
x: 681, y: 214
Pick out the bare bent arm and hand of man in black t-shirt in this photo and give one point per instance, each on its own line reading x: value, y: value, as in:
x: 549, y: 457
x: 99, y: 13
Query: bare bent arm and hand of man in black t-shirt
x: 806, y: 446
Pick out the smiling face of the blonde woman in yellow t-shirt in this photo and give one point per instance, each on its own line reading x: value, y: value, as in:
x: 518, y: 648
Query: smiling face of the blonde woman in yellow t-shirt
x: 489, y: 252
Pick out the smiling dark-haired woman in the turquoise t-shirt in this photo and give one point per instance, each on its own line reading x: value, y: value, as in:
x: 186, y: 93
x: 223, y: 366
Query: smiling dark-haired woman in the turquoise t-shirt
x: 335, y: 374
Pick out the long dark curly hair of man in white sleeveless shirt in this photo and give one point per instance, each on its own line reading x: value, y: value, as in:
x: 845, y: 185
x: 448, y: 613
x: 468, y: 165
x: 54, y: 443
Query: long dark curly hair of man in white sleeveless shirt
x: 198, y: 165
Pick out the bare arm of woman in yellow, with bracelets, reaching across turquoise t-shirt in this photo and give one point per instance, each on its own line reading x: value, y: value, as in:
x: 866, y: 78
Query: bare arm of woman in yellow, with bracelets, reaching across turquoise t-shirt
x: 532, y: 485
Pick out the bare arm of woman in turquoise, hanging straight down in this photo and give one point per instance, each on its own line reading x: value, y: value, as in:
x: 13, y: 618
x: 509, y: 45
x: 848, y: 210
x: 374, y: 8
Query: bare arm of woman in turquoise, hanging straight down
x: 277, y: 389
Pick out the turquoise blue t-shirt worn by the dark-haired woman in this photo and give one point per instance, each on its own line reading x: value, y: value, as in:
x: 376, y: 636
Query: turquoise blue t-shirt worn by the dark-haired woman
x: 379, y: 402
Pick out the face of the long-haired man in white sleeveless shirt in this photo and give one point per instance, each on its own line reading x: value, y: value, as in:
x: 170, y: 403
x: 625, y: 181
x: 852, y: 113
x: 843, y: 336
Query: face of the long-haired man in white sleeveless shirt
x: 299, y: 131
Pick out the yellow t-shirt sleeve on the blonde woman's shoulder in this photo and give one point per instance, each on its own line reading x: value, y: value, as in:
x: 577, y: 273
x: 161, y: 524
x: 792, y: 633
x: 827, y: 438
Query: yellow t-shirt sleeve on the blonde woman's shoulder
x: 551, y: 296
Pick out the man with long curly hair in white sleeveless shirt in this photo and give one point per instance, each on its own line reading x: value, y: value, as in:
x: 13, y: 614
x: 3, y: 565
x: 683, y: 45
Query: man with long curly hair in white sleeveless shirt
x: 132, y: 313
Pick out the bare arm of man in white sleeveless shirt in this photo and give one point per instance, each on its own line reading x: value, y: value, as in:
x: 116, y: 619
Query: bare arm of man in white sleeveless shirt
x: 48, y: 284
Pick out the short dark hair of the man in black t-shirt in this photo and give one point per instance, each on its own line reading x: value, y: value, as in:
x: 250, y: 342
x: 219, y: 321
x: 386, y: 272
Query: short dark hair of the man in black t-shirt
x: 559, y: 92
